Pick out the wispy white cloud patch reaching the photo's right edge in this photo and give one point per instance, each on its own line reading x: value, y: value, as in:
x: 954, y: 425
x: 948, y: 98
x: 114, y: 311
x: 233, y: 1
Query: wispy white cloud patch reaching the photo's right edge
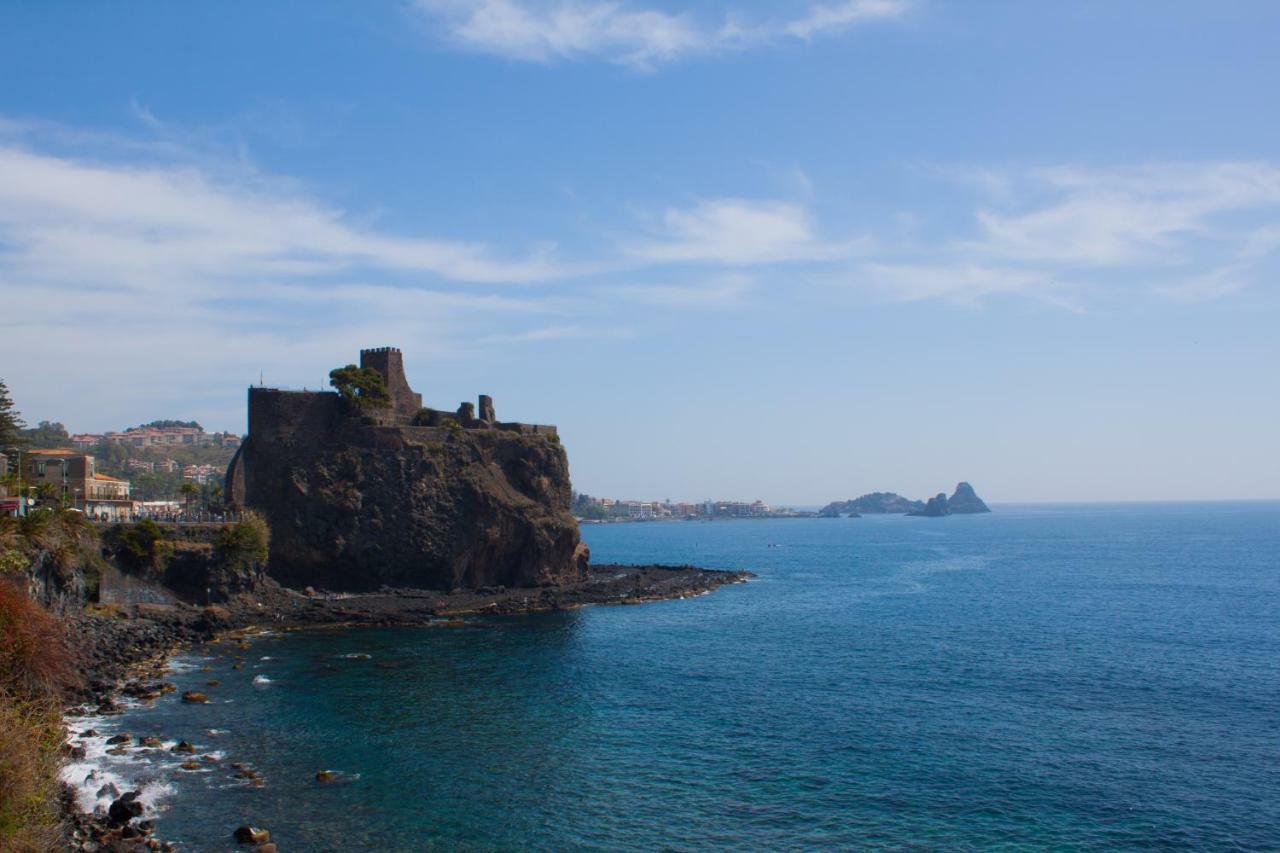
x: 1188, y: 231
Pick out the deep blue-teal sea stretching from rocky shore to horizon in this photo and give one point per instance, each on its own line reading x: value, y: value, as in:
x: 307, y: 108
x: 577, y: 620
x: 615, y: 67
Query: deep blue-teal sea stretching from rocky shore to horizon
x: 1055, y: 677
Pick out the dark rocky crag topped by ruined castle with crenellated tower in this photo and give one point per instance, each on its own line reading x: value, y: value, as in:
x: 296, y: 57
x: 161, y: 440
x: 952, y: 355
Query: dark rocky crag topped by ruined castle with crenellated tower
x: 363, y: 496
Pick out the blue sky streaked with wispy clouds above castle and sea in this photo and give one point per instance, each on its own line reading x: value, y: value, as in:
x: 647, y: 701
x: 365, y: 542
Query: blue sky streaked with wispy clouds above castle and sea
x: 793, y: 252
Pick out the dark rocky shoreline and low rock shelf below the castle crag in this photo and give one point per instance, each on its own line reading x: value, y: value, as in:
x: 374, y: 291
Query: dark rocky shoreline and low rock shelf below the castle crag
x: 125, y: 654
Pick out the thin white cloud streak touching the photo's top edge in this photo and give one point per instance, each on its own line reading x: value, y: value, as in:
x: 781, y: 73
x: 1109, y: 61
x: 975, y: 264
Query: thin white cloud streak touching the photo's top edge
x: 547, y: 31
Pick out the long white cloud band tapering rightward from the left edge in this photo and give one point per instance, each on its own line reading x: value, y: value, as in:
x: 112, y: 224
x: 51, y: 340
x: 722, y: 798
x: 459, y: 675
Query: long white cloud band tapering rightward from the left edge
x: 144, y: 225
